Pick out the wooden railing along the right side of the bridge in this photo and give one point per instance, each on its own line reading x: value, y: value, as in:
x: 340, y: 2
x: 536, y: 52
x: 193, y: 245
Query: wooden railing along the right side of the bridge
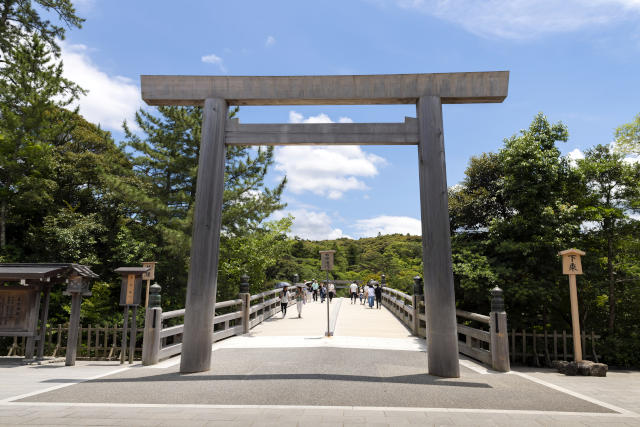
x: 484, y: 338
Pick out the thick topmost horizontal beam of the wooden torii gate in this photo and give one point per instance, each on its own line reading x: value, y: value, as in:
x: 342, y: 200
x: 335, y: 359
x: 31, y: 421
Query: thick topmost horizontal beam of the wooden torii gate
x: 452, y: 88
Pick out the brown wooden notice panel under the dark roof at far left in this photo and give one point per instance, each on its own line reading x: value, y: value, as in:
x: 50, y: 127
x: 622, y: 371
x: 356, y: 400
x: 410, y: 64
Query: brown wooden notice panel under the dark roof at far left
x: 16, y: 308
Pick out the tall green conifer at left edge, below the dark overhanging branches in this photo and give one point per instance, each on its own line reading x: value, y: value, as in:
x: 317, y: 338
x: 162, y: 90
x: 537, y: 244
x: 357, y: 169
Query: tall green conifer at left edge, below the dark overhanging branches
x: 33, y: 95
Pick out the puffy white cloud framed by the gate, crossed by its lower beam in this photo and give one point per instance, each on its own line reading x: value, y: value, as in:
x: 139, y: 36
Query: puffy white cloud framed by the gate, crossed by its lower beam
x: 325, y: 171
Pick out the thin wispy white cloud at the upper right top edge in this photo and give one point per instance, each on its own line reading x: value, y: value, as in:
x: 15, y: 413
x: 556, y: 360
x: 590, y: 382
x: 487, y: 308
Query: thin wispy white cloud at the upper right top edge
x: 526, y: 19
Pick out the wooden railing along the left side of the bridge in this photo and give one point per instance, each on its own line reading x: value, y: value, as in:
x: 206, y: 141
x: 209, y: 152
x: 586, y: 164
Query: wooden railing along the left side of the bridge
x: 161, y: 341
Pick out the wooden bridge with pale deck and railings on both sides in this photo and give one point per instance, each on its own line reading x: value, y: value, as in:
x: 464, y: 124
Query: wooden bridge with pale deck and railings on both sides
x: 402, y: 316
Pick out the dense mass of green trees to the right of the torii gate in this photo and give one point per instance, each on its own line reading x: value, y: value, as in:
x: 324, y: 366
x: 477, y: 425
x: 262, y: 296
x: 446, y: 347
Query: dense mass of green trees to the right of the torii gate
x: 516, y: 209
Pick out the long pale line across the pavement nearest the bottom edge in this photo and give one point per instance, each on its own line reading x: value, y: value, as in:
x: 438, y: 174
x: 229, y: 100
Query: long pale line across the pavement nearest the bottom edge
x: 312, y: 407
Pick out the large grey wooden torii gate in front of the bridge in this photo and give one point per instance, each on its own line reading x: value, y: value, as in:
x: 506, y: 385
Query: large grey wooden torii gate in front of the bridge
x: 427, y: 91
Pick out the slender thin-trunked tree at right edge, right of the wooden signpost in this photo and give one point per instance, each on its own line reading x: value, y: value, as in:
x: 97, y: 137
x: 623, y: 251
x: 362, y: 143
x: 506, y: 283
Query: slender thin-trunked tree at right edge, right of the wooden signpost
x: 611, y: 195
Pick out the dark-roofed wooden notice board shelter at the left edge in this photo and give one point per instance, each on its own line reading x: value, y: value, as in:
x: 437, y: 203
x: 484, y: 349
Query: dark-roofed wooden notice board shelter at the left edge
x: 22, y: 288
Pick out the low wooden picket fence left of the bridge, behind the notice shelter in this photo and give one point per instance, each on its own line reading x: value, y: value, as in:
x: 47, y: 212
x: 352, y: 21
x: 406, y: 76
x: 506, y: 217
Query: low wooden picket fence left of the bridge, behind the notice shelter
x: 94, y: 342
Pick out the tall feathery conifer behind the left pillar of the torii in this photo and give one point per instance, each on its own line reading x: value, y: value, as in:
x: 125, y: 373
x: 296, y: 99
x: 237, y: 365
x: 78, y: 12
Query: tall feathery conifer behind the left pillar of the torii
x: 165, y: 158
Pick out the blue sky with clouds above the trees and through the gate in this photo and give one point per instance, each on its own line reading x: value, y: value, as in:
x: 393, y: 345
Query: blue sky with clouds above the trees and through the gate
x: 576, y: 61
